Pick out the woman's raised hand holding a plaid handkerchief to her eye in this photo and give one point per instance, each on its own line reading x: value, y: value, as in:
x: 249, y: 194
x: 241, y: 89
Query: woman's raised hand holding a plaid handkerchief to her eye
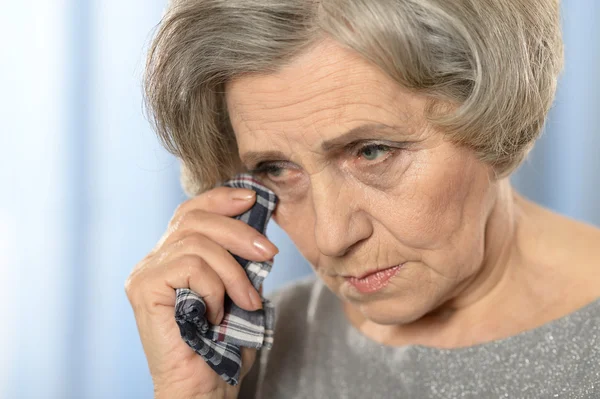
x: 193, y: 254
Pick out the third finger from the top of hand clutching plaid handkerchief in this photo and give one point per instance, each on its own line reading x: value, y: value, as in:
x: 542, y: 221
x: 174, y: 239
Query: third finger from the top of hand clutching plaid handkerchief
x: 231, y: 273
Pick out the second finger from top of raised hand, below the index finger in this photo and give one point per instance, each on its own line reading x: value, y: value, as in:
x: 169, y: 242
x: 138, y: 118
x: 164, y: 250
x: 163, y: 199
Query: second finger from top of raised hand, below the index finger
x: 232, y: 234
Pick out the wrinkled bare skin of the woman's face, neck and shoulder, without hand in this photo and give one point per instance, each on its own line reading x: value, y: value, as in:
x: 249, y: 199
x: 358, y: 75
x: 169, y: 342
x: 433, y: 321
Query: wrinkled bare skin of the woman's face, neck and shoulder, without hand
x: 471, y: 249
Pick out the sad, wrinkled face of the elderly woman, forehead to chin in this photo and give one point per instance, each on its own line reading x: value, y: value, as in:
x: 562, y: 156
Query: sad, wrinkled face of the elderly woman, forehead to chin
x: 390, y: 192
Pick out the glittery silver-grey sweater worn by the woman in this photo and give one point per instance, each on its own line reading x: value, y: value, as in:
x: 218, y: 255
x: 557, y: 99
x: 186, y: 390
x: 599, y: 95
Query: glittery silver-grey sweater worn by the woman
x: 317, y: 354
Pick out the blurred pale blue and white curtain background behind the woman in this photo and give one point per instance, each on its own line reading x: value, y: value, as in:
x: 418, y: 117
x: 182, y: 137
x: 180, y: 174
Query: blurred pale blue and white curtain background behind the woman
x: 86, y: 189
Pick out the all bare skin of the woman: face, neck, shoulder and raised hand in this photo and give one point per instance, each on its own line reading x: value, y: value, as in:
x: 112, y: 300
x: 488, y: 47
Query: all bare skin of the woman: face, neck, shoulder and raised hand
x: 479, y: 262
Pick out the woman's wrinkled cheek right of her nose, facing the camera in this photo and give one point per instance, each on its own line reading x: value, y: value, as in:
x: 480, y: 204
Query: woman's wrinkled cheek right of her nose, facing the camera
x: 437, y: 207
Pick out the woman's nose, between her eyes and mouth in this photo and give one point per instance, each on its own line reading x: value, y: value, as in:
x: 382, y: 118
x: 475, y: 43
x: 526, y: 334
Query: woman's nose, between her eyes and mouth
x: 340, y: 223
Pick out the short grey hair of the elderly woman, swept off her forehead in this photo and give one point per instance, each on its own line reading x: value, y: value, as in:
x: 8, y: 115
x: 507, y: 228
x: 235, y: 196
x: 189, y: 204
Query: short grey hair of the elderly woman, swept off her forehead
x: 489, y: 67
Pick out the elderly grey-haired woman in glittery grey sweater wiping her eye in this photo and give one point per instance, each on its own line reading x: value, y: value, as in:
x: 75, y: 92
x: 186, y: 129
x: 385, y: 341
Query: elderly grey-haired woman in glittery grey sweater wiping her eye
x: 388, y: 130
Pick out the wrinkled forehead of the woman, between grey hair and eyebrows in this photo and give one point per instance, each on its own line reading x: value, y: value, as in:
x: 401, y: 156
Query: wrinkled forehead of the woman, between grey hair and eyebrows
x: 321, y: 94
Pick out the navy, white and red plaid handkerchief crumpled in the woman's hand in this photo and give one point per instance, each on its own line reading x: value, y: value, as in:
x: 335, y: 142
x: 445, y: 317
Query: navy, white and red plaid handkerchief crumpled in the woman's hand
x: 220, y: 345
